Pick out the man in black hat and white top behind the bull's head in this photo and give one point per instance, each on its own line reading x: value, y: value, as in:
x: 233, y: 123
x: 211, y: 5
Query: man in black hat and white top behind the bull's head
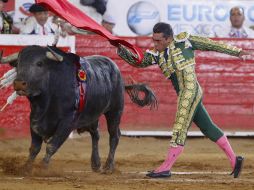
x: 40, y: 23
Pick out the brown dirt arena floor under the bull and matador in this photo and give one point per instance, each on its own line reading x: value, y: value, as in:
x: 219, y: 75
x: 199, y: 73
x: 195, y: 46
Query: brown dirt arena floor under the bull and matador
x: 201, y: 166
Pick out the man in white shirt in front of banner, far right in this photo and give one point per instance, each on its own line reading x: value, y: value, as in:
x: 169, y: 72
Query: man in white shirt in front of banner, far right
x: 237, y: 29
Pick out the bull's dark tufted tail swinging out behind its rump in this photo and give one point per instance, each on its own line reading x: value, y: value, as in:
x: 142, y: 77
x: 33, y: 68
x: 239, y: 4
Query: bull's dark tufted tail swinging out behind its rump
x: 142, y: 95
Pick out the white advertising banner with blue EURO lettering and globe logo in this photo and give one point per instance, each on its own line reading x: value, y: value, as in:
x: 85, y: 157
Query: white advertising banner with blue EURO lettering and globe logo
x: 202, y: 17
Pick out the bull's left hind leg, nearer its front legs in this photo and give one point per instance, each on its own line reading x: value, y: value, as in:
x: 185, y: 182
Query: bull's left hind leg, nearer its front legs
x: 95, y: 158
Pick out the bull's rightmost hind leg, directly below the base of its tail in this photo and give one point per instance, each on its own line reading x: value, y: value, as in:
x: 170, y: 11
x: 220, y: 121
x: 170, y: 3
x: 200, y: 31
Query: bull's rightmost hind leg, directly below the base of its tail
x: 113, y: 121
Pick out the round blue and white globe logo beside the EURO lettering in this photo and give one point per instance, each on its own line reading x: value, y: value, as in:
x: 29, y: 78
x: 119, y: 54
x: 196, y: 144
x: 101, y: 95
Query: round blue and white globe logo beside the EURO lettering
x: 141, y: 17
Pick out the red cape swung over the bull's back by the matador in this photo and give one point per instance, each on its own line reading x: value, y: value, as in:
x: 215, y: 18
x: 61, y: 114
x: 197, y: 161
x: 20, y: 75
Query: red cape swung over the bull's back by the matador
x: 76, y: 17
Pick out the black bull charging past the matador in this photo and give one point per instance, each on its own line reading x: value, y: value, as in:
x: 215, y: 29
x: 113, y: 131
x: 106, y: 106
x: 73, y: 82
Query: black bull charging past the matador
x: 47, y: 76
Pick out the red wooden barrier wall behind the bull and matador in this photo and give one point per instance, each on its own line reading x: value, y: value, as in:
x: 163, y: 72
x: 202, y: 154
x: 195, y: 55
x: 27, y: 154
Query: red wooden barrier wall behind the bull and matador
x: 228, y: 85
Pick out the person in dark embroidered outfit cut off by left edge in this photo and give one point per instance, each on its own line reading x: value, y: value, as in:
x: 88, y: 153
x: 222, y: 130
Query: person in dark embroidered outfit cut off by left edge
x: 6, y: 21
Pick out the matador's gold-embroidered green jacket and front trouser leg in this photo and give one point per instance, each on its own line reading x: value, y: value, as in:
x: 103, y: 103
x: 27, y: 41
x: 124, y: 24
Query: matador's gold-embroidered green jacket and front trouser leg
x: 177, y: 63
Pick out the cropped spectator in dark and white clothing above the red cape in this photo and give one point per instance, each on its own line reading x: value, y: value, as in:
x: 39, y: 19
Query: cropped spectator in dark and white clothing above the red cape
x: 93, y: 8
